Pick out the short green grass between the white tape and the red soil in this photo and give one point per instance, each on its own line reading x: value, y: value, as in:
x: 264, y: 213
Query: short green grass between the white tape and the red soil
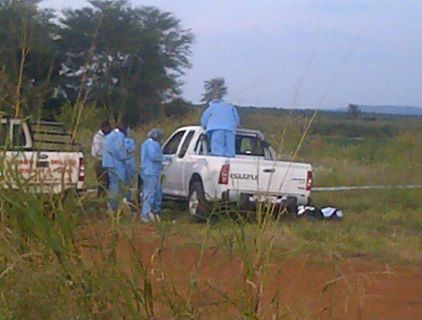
x: 384, y: 226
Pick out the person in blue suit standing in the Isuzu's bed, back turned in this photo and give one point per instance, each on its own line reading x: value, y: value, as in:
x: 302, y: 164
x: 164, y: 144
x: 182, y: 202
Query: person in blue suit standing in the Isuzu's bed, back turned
x: 220, y: 121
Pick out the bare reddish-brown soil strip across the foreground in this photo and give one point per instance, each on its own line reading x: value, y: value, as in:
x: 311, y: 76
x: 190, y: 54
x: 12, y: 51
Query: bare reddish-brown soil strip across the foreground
x: 300, y: 287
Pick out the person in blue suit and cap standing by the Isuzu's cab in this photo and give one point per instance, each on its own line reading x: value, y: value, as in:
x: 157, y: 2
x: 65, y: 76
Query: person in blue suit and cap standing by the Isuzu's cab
x: 151, y: 168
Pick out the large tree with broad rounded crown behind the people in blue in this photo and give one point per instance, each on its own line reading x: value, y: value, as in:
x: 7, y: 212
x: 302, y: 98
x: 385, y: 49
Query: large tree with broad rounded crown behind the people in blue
x: 128, y: 60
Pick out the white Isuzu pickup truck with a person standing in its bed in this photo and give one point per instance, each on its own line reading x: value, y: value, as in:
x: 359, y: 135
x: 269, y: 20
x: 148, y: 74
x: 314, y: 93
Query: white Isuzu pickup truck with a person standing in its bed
x: 254, y: 175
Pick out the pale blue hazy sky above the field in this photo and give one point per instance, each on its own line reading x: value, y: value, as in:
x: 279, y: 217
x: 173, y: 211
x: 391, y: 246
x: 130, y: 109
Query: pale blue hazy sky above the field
x: 301, y: 53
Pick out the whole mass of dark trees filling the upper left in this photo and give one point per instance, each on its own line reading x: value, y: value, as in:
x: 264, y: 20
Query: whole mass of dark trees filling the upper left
x: 127, y: 61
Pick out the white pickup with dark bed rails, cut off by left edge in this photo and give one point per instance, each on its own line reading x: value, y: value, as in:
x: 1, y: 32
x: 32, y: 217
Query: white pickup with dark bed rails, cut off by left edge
x: 39, y: 157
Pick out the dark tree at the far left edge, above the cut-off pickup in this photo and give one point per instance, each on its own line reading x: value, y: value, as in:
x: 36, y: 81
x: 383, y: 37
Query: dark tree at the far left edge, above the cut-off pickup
x: 27, y: 52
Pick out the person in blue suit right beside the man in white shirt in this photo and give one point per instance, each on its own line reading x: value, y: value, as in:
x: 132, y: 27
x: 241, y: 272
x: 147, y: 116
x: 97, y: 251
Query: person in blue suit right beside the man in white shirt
x: 115, y: 155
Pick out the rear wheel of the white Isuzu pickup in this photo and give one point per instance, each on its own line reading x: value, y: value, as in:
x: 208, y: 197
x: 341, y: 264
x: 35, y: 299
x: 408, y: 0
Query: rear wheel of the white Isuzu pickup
x: 198, y: 206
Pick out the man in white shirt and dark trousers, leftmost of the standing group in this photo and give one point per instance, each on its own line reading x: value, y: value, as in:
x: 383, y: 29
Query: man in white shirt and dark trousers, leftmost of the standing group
x: 97, y: 151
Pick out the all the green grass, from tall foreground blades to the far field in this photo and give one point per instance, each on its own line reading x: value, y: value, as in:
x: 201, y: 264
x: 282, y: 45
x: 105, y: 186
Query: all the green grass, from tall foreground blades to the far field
x: 42, y: 242
